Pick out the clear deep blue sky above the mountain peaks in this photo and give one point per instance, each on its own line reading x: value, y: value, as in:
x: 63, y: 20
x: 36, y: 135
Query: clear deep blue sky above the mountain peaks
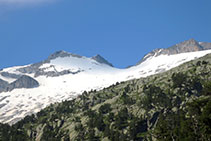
x: 122, y: 31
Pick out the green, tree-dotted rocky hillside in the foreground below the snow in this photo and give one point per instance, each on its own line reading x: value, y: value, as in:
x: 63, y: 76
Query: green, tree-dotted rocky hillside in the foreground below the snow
x: 173, y: 105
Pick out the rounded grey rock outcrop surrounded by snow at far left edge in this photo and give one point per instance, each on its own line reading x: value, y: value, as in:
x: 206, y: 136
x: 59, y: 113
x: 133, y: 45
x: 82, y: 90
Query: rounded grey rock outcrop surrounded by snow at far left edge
x: 22, y: 82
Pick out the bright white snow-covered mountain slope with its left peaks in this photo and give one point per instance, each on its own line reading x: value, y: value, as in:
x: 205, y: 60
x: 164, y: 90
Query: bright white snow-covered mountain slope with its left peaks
x: 64, y: 76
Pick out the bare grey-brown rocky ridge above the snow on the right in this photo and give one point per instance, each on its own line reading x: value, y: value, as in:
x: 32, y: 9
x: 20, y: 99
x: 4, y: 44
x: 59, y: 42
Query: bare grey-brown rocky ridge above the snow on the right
x: 183, y: 47
